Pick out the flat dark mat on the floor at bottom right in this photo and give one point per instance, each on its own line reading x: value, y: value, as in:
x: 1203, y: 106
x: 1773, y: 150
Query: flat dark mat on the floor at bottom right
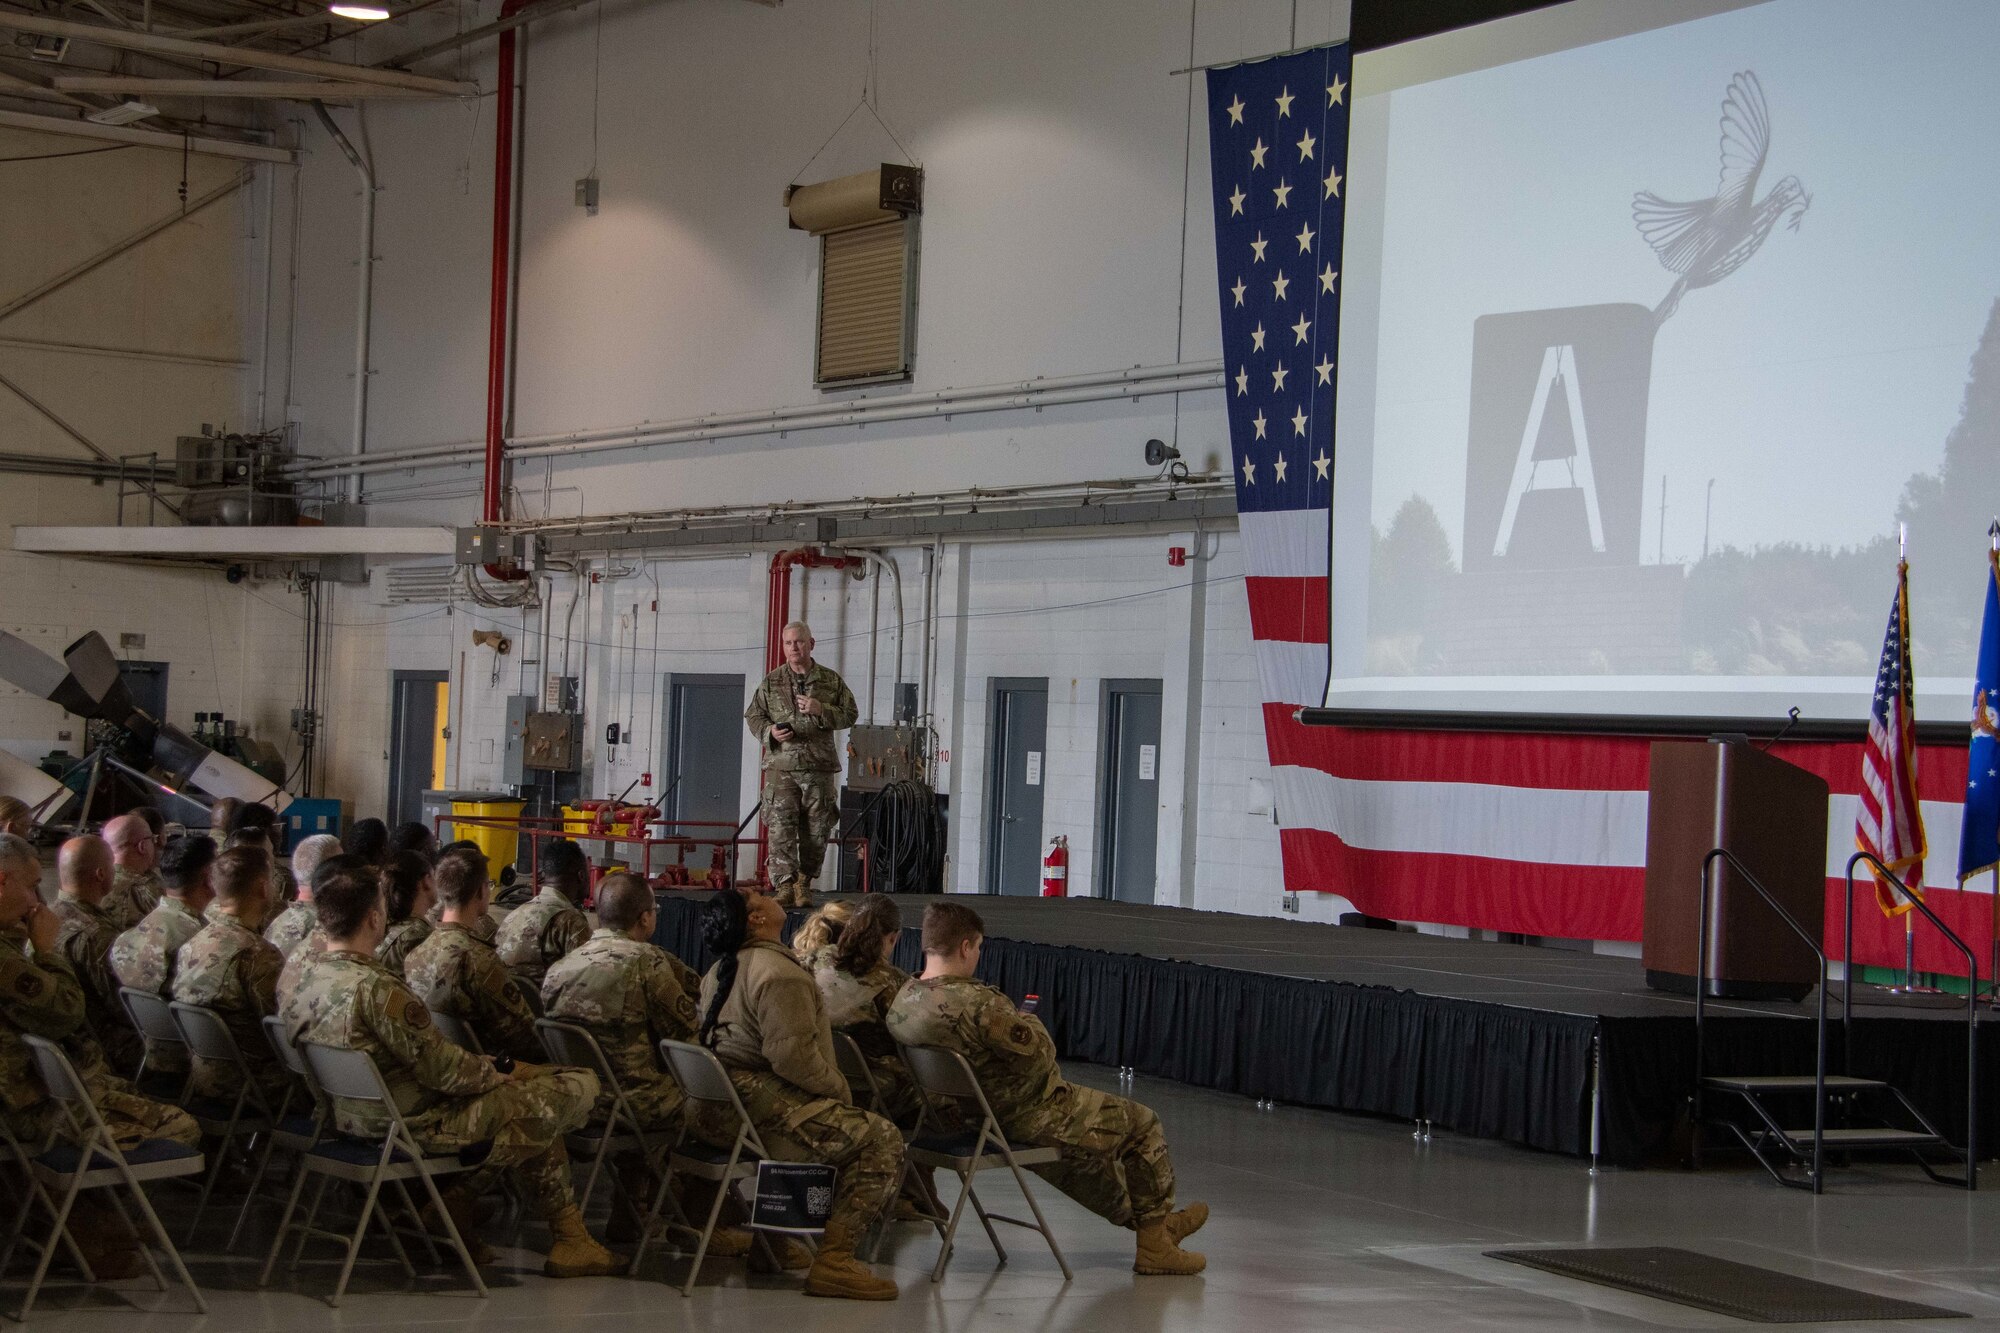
x: 1721, y: 1286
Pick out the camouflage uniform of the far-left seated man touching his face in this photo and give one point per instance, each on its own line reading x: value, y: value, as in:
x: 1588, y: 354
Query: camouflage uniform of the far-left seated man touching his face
x: 43, y: 998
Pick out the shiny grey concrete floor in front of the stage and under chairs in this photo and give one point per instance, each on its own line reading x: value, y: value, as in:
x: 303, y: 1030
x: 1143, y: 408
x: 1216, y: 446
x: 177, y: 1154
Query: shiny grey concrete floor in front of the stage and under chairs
x: 1321, y: 1222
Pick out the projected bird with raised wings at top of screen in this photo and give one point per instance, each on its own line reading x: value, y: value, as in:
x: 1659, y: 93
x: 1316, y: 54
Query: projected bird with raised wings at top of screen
x: 1707, y: 241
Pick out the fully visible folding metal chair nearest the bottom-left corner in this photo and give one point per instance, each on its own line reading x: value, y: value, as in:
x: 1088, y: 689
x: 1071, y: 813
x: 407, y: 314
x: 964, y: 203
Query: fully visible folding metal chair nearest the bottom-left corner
x: 93, y: 1160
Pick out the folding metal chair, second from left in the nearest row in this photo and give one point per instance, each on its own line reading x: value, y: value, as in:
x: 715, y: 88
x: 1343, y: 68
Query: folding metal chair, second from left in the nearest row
x: 397, y: 1158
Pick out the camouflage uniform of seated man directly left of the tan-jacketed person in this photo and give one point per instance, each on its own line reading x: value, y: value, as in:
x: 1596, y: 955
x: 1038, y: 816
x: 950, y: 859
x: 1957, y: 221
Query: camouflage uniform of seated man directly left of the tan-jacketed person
x: 629, y: 996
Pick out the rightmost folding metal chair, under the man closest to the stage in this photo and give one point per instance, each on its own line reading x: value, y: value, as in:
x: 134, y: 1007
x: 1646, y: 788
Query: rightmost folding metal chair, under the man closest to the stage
x: 969, y: 1152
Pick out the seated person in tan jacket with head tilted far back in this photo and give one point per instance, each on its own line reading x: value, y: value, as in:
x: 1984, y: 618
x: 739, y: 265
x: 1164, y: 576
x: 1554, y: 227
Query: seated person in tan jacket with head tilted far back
x: 765, y: 1022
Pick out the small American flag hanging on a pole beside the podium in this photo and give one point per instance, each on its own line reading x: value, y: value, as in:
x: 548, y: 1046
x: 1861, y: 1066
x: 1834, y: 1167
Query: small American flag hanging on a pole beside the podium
x: 1891, y: 824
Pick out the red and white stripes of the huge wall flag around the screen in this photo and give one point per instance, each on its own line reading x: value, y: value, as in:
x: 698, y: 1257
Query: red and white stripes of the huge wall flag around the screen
x: 1507, y: 832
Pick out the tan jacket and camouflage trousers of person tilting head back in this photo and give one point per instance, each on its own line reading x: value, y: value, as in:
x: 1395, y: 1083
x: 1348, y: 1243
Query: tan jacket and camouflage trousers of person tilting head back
x: 775, y: 1042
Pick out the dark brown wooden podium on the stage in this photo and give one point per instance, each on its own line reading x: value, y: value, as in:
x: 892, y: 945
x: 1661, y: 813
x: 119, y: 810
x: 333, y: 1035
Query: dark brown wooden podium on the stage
x: 1773, y: 818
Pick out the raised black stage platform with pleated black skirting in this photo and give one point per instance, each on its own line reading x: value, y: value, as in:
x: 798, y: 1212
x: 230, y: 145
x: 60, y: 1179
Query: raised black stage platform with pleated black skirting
x: 1545, y: 1048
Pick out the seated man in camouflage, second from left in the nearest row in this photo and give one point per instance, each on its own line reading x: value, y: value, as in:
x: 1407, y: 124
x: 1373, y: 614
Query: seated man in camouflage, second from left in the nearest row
x: 453, y: 1102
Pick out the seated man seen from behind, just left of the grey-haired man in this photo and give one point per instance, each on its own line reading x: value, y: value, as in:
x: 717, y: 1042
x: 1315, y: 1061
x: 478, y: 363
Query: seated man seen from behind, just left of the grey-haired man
x: 233, y: 970
